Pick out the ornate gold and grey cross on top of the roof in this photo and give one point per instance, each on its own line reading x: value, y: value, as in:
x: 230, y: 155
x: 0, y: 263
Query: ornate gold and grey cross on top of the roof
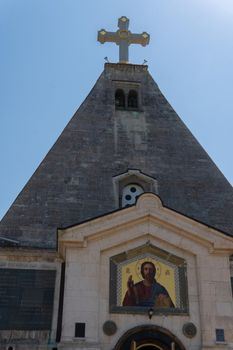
x: 123, y: 37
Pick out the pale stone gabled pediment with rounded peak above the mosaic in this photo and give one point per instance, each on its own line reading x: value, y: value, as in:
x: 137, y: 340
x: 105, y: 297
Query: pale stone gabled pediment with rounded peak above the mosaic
x: 147, y: 218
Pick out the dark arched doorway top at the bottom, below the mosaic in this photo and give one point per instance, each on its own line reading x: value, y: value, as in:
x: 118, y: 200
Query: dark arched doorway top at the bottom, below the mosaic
x: 149, y: 337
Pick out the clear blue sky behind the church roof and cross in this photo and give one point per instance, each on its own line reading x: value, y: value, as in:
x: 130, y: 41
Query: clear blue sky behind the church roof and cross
x: 50, y: 59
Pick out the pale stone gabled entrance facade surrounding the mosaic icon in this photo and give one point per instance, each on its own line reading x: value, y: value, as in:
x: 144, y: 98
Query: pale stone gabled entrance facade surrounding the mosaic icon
x: 87, y: 249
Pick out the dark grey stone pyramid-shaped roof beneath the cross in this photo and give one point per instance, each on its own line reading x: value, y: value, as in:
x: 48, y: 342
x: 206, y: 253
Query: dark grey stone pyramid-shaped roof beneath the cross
x: 74, y: 182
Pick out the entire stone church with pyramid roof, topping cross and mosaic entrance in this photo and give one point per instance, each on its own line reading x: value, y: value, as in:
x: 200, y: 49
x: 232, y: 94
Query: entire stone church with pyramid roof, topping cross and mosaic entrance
x: 123, y: 237
